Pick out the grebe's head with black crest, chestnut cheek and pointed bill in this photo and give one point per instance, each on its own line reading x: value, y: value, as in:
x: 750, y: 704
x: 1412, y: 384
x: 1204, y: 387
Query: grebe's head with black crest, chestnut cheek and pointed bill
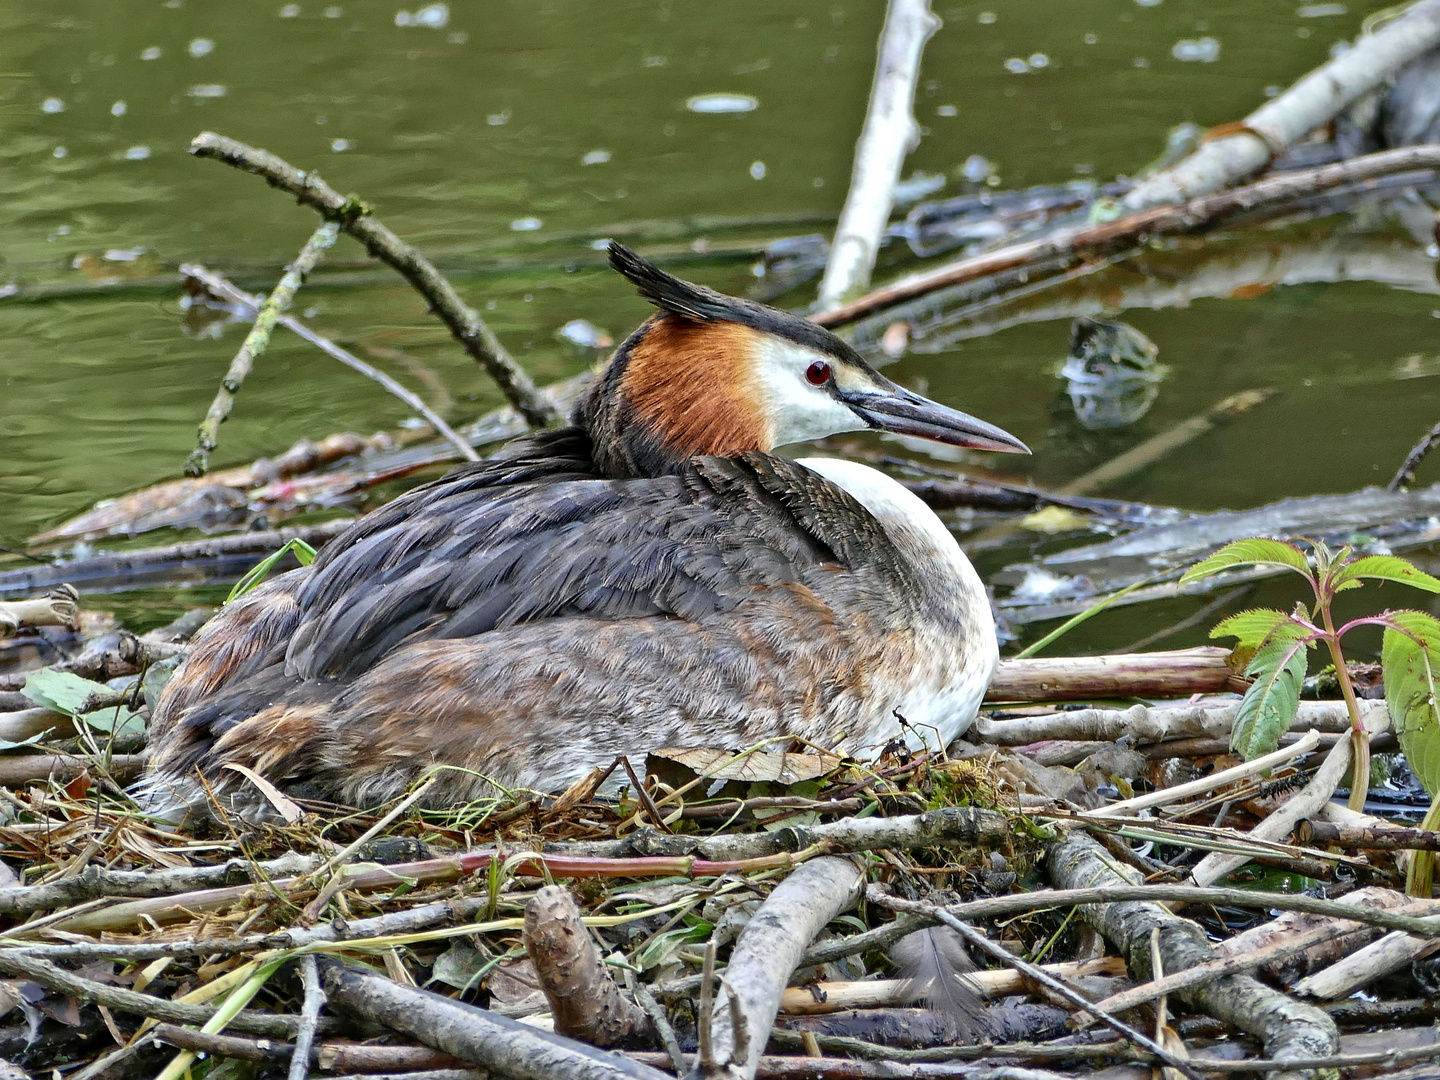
x: 718, y: 375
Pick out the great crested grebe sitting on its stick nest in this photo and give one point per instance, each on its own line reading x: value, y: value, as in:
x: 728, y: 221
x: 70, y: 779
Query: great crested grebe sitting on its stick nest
x: 649, y: 577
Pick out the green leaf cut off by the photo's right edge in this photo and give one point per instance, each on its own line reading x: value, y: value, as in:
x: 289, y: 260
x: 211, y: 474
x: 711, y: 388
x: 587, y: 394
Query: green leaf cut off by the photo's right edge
x: 1410, y: 660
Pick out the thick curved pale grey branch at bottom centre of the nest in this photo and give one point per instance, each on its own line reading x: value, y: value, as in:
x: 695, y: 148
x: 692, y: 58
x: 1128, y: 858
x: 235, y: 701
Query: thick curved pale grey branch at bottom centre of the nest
x: 767, y: 953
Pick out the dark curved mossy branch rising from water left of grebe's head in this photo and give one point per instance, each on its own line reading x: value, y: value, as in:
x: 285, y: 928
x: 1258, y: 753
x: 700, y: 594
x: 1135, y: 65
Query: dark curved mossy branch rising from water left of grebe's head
x: 355, y: 218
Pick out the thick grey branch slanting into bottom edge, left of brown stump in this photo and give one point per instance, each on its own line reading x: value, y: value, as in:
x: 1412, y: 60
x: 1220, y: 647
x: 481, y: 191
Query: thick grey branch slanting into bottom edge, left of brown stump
x: 473, y: 1035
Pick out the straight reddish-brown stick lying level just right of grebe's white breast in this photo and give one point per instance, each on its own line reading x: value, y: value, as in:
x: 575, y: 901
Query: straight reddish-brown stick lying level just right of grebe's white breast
x: 1143, y: 675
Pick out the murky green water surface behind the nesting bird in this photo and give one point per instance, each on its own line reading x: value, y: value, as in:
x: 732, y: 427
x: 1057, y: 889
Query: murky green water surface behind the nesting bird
x: 506, y: 138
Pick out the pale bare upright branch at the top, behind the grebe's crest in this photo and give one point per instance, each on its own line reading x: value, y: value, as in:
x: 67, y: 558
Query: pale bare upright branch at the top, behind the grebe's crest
x: 889, y: 135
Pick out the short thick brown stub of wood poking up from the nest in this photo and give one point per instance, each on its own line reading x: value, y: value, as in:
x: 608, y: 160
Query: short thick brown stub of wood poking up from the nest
x: 584, y: 999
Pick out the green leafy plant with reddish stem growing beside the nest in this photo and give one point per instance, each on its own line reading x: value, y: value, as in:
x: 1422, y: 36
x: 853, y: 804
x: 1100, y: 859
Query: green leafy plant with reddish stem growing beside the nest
x: 1277, y: 647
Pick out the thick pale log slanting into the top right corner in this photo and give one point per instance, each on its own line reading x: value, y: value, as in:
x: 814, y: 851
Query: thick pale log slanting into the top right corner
x: 1288, y: 119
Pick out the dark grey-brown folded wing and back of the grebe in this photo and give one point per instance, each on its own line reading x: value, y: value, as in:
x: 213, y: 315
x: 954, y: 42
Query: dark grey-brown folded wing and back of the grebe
x: 516, y: 544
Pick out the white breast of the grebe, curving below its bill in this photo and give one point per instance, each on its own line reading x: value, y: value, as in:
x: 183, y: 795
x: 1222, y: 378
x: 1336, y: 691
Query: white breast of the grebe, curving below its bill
x: 953, y: 676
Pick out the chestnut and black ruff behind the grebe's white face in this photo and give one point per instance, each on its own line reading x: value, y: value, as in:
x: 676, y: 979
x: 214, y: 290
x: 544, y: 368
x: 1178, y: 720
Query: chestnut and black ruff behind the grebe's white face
x: 673, y: 391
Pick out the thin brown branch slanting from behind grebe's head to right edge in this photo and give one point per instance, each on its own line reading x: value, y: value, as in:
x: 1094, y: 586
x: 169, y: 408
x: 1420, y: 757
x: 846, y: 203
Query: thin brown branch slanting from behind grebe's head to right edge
x: 1130, y: 231
